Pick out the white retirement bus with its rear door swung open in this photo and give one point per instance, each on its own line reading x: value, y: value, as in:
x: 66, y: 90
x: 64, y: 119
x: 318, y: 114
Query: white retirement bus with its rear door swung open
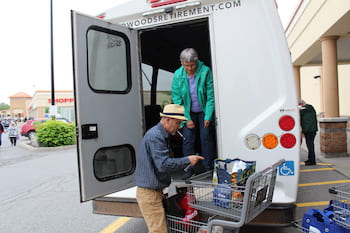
x: 123, y: 65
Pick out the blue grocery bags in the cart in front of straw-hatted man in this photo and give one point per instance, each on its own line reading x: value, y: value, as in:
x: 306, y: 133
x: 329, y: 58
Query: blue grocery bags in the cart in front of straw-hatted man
x: 231, y: 176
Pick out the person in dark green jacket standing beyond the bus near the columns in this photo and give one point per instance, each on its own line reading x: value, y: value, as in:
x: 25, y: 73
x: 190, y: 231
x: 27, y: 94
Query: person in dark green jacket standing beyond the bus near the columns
x: 308, y: 120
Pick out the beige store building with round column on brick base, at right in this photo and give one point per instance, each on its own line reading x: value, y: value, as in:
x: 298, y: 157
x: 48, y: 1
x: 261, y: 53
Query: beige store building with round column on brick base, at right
x: 318, y: 36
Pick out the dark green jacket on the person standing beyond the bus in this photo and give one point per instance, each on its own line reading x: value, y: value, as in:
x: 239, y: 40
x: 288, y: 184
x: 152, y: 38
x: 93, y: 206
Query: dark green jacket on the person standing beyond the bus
x: 308, y: 119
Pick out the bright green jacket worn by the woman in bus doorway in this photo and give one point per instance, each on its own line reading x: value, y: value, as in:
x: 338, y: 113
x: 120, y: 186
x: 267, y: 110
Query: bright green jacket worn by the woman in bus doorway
x: 205, y: 90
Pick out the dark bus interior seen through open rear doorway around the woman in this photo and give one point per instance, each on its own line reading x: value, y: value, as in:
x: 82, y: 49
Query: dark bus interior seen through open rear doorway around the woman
x: 160, y: 52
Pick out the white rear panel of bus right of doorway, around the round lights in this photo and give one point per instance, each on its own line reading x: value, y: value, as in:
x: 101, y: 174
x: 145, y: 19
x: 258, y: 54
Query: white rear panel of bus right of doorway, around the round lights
x: 254, y: 88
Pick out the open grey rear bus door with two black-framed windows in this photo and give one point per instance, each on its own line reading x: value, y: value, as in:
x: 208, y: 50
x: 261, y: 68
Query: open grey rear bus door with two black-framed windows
x: 108, y: 104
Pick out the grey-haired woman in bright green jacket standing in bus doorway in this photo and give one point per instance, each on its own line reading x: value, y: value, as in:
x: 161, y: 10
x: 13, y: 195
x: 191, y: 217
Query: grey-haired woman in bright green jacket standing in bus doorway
x: 192, y: 87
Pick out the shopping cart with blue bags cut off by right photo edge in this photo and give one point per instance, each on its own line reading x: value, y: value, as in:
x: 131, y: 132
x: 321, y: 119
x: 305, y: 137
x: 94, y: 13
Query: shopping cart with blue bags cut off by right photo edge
x: 341, y: 205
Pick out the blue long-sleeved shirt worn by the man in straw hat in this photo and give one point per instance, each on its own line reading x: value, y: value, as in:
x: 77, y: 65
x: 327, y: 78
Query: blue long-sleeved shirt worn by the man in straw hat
x: 154, y: 163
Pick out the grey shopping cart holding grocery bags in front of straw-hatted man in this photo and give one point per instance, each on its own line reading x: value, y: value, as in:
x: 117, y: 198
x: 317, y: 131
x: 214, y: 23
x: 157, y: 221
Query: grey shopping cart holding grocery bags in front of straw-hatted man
x: 233, y: 205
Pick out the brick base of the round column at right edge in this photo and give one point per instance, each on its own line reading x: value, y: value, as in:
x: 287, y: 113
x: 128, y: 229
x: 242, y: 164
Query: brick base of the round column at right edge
x: 333, y: 139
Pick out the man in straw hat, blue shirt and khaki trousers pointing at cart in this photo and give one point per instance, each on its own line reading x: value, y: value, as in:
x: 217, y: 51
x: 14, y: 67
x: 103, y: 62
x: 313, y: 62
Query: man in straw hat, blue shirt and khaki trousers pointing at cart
x: 154, y: 165
